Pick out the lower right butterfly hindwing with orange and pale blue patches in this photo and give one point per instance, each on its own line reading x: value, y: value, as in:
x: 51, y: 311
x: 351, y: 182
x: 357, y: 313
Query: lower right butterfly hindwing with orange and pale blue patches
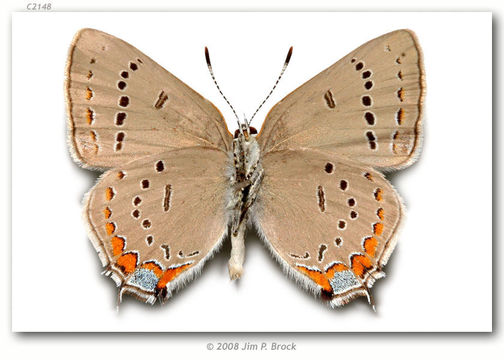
x: 330, y: 222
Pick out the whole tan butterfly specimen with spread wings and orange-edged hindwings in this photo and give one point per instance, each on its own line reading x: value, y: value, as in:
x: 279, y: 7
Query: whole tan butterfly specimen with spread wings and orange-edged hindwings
x: 177, y: 183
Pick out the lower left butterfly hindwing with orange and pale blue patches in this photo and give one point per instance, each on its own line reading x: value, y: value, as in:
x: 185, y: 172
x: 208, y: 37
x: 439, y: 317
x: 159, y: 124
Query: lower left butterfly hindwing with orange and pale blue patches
x: 156, y: 220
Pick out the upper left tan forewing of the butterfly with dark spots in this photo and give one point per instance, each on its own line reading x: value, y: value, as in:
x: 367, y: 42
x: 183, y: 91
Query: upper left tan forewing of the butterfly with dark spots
x: 122, y: 105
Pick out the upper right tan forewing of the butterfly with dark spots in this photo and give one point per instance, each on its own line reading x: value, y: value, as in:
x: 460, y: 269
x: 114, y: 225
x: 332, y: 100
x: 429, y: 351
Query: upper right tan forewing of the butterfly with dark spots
x: 367, y: 106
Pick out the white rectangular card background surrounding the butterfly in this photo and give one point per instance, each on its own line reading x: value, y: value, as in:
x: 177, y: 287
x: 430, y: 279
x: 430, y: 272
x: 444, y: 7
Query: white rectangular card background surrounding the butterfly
x: 440, y: 274
